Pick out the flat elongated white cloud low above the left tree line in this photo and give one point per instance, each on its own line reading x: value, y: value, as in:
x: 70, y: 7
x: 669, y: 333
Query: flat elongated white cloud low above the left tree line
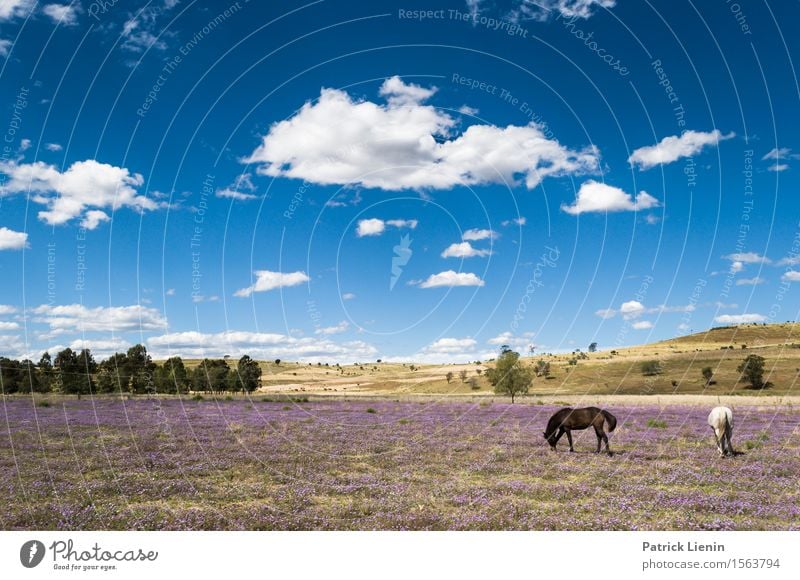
x: 80, y: 318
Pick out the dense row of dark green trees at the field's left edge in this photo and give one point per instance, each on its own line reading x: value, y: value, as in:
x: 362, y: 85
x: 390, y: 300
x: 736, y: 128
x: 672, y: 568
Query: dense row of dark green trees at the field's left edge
x: 133, y: 372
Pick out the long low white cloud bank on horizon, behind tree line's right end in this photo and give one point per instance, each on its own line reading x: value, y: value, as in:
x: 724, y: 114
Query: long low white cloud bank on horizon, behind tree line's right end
x: 258, y: 345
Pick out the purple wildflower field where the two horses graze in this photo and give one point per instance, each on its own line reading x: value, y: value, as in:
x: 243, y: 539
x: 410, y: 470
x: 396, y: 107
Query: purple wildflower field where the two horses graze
x: 387, y: 465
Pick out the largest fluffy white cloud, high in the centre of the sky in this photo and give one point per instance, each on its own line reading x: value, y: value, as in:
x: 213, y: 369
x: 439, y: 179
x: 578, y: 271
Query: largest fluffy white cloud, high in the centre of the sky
x: 406, y: 144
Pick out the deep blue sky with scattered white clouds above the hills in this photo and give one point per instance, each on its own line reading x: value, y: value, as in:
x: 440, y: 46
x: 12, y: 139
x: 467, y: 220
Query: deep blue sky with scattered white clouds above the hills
x: 334, y: 181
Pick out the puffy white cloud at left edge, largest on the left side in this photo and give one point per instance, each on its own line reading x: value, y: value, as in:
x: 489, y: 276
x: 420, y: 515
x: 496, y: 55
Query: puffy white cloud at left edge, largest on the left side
x: 70, y: 194
